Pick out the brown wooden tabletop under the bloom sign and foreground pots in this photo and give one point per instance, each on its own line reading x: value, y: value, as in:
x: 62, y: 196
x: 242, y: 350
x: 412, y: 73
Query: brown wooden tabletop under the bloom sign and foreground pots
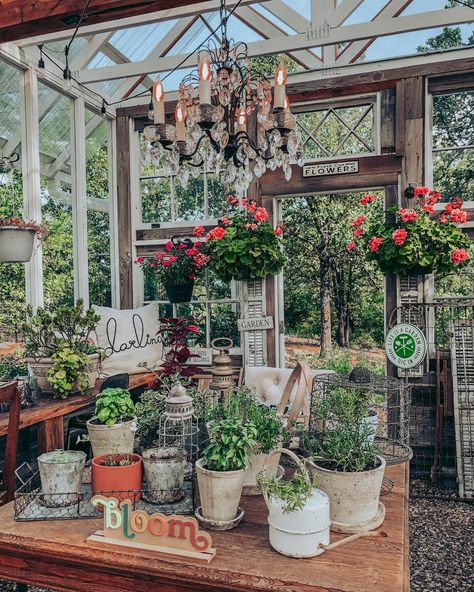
x: 54, y: 554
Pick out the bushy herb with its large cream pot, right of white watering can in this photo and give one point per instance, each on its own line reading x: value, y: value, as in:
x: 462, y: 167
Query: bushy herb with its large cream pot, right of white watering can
x: 345, y: 462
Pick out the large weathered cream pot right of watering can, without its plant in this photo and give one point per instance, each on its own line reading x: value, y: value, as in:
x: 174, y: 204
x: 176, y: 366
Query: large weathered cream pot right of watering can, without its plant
x: 353, y: 497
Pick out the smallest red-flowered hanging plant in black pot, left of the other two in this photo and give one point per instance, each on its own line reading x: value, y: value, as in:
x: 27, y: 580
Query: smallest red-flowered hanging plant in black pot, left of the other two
x: 177, y: 268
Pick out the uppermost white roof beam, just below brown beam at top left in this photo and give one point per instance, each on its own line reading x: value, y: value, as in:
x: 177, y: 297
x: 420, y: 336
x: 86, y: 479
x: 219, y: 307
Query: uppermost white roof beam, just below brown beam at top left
x: 136, y: 21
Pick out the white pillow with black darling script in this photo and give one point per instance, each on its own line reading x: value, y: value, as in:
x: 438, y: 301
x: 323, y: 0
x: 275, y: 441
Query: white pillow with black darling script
x: 129, y: 337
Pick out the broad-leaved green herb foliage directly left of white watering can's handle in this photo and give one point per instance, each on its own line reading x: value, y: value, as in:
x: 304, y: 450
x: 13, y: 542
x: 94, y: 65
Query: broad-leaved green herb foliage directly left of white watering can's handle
x: 229, y: 442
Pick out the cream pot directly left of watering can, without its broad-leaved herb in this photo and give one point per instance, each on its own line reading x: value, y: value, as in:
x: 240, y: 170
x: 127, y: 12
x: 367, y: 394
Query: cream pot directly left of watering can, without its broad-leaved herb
x: 219, y: 492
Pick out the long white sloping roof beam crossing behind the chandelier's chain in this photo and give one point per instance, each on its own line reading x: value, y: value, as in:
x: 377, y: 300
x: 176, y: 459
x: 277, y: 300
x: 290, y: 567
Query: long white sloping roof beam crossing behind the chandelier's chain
x: 382, y: 27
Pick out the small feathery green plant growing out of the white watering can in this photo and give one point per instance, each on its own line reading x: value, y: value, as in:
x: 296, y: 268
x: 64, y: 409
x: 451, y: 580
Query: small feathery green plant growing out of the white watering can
x: 293, y: 493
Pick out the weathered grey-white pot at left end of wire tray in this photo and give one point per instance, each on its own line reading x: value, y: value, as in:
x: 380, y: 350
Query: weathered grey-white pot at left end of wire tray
x: 61, y: 477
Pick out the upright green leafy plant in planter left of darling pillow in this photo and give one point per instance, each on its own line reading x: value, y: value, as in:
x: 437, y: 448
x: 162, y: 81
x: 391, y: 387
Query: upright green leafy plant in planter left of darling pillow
x: 51, y: 327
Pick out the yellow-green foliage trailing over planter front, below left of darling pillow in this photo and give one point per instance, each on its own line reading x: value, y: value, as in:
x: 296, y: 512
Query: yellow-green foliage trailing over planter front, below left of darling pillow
x: 69, y: 370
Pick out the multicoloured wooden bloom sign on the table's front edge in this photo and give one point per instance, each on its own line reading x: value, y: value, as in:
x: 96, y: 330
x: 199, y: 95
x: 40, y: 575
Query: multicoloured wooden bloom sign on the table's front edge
x: 163, y: 535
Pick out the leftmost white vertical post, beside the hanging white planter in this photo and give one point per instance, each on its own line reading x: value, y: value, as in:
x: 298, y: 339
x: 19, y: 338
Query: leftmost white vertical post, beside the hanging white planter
x: 31, y: 183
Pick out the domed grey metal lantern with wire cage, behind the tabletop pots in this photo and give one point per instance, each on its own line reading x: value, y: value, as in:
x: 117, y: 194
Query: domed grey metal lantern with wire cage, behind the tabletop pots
x: 178, y: 426
